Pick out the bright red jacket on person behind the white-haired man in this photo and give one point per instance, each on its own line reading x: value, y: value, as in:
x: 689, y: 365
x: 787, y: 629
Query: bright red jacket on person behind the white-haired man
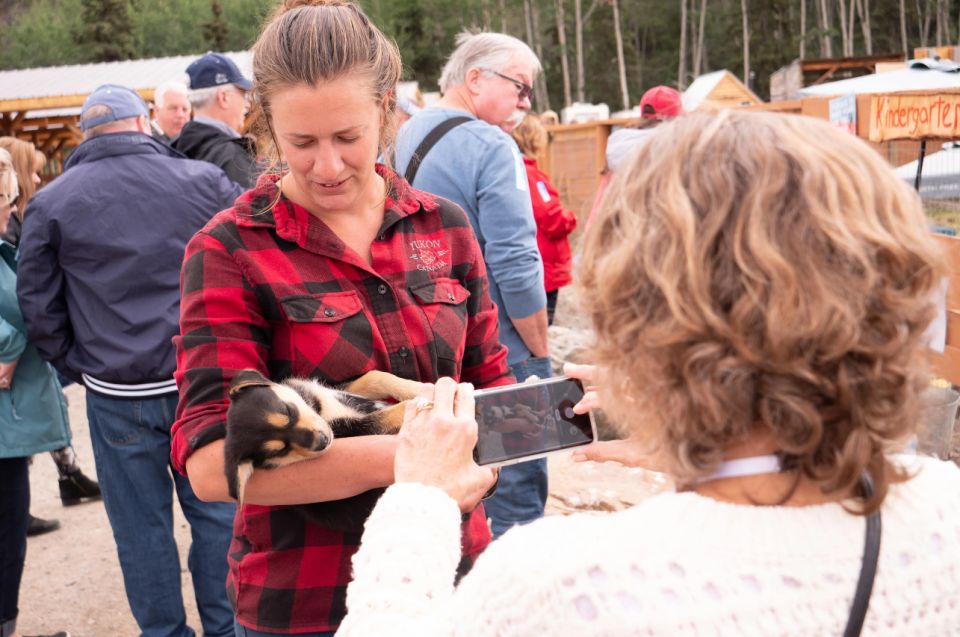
x: 554, y: 225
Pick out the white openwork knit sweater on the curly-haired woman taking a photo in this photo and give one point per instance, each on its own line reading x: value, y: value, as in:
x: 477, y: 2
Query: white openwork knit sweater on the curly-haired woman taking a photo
x: 676, y: 564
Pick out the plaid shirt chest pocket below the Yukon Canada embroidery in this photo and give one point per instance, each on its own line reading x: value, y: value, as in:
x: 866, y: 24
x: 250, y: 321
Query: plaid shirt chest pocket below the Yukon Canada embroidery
x: 444, y: 303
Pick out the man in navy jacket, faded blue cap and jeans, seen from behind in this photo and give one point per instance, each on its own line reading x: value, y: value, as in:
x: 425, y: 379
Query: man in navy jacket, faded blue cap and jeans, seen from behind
x: 98, y: 284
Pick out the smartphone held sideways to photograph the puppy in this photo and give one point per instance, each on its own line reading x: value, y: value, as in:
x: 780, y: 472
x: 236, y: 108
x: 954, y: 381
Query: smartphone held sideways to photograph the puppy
x: 530, y: 420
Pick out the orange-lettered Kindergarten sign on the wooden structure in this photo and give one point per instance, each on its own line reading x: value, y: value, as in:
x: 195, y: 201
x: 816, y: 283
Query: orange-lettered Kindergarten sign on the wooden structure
x: 914, y: 116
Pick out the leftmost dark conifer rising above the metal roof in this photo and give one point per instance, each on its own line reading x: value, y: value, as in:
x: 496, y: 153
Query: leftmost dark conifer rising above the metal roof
x: 107, y: 30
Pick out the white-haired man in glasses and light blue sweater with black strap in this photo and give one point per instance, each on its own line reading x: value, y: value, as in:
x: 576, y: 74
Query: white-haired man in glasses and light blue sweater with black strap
x: 458, y: 149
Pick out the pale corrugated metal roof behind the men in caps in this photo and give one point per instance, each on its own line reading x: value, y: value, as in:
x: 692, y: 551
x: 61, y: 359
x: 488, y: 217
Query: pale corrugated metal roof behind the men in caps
x: 79, y: 79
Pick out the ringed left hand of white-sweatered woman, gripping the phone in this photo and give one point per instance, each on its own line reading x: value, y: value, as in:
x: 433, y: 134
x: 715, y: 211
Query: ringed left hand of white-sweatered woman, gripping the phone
x: 435, y: 444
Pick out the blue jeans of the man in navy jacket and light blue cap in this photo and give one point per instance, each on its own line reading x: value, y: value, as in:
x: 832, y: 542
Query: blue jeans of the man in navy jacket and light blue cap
x: 131, y: 448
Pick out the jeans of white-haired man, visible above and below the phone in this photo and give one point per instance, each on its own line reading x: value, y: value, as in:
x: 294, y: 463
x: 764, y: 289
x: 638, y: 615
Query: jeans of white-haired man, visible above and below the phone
x: 522, y: 490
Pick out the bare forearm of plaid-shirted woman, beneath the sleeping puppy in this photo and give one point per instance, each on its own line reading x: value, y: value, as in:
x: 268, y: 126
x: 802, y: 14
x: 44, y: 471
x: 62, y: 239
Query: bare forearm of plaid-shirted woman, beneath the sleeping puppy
x: 349, y: 466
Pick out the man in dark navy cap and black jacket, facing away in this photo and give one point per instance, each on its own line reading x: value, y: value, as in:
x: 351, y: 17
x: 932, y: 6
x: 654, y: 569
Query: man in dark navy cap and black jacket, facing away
x: 219, y: 94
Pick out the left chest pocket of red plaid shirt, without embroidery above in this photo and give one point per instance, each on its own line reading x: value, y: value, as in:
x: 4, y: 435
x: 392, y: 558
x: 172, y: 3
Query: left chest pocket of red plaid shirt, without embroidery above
x: 328, y: 332
